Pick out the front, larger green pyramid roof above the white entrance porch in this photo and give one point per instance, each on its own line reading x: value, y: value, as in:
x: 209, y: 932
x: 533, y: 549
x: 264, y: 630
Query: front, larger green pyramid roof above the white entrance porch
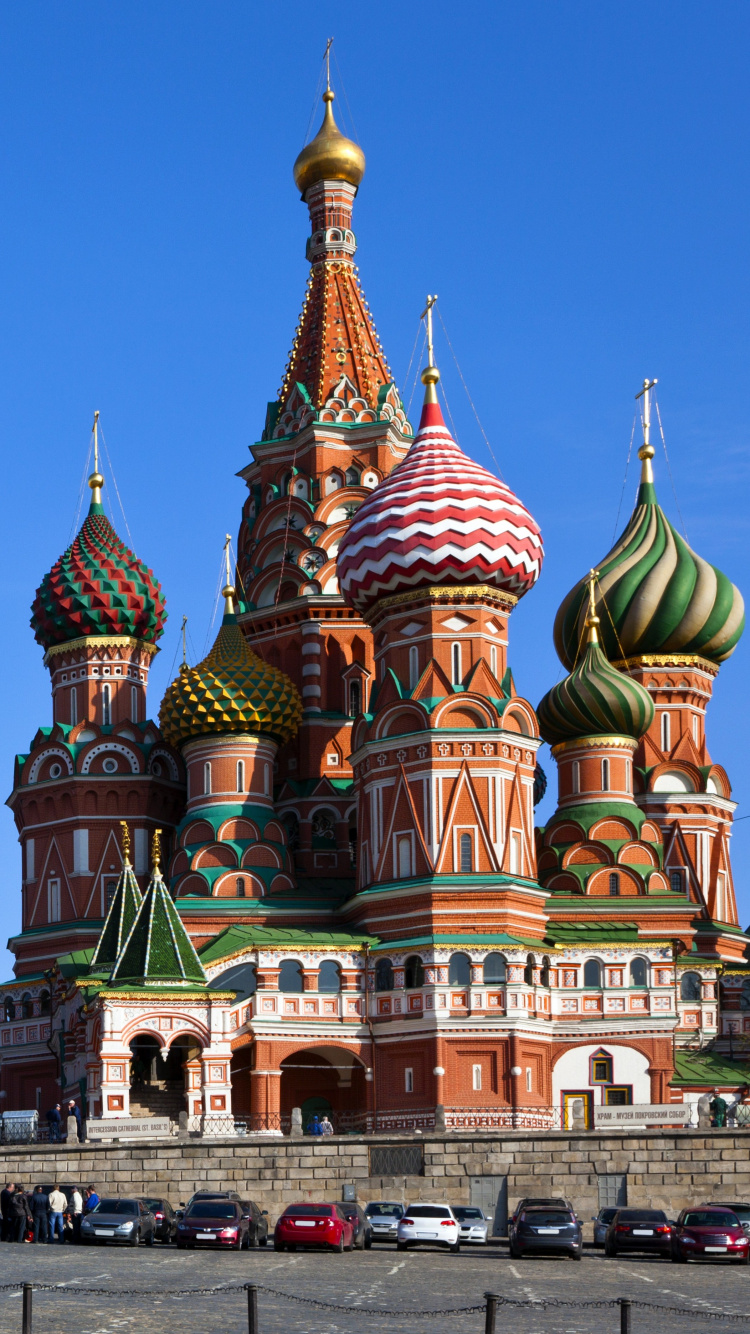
x: 158, y: 948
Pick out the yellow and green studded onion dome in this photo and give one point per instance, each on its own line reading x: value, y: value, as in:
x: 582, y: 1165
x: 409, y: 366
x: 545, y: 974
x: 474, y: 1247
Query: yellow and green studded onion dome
x: 233, y: 690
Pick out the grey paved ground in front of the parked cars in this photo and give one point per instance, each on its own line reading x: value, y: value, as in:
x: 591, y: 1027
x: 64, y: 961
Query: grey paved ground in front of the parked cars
x: 420, y: 1281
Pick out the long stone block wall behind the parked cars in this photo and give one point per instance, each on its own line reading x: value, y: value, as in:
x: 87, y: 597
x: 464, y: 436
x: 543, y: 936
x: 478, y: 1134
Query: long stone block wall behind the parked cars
x: 665, y: 1169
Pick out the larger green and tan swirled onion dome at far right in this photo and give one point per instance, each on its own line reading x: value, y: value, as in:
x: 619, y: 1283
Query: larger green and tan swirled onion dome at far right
x: 656, y: 596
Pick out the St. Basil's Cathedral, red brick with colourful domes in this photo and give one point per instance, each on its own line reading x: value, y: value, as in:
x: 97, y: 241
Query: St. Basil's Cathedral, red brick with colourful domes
x: 317, y: 881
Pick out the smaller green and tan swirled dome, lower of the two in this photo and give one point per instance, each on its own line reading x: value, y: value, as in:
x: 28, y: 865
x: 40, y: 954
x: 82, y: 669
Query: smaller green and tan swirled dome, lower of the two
x: 596, y: 700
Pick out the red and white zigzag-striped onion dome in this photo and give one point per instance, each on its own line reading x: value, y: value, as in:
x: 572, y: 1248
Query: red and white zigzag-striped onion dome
x: 438, y: 520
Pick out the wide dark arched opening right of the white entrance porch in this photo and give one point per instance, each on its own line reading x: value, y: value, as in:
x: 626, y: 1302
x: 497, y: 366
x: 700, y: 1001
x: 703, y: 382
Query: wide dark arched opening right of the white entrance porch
x: 325, y: 1081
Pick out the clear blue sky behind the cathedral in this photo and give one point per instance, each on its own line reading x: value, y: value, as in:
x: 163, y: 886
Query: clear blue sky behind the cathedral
x: 572, y: 179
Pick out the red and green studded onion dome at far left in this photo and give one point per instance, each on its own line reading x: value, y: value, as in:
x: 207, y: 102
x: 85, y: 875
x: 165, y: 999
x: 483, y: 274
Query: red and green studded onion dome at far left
x: 98, y: 588
